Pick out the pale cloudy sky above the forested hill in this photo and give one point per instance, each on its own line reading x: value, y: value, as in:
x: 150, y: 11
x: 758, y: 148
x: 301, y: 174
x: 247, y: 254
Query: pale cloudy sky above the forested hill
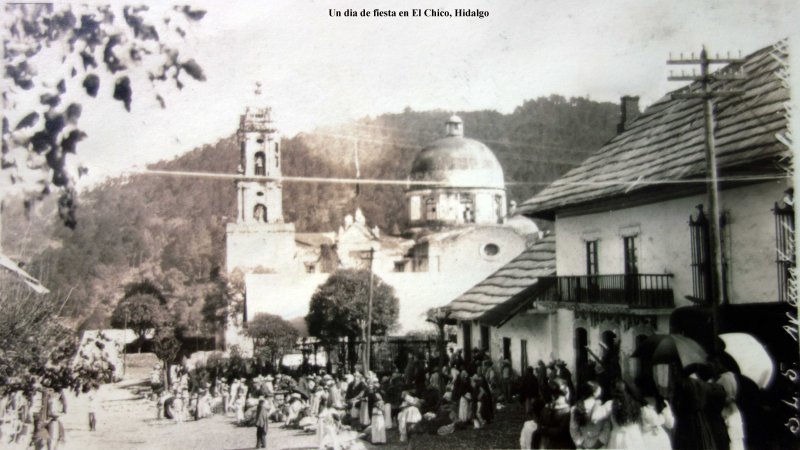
x: 319, y: 70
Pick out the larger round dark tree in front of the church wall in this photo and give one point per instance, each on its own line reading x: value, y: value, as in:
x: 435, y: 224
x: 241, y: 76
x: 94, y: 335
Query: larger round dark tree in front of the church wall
x: 339, y: 307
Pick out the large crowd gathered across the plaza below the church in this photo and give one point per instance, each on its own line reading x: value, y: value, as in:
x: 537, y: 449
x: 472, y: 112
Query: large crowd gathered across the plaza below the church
x: 431, y: 393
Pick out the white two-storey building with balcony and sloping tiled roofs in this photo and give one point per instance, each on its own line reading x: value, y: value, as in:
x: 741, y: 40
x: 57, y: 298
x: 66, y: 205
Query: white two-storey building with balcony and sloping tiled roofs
x: 631, y: 247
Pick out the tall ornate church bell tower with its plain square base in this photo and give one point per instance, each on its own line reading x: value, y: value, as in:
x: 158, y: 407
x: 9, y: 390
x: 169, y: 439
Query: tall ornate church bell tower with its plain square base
x: 259, y: 239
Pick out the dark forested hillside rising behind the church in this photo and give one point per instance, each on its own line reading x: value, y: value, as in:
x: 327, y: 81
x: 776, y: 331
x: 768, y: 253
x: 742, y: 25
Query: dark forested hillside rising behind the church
x: 171, y: 230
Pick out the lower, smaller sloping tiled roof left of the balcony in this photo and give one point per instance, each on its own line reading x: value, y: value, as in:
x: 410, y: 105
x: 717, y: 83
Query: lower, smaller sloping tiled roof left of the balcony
x: 519, y: 275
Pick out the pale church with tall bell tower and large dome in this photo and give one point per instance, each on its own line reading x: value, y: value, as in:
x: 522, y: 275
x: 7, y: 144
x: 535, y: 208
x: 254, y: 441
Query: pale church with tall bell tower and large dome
x: 458, y: 234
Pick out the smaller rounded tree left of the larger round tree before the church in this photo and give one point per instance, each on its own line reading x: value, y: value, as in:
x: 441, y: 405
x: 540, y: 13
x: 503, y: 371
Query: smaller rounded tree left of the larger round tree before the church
x: 272, y: 336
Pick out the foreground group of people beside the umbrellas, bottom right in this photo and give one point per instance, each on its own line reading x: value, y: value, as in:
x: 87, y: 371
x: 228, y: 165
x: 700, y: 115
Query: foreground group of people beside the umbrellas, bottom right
x: 691, y: 407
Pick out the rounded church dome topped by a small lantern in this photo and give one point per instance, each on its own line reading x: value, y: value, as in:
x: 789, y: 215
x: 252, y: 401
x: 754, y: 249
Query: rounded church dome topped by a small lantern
x: 458, y: 161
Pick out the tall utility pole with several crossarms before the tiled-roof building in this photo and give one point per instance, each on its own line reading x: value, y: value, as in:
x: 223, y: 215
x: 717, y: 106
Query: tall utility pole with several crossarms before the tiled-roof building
x: 712, y: 188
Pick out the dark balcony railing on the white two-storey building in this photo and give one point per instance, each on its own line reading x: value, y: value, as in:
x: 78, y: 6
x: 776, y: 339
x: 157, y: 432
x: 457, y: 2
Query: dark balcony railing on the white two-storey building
x: 634, y: 291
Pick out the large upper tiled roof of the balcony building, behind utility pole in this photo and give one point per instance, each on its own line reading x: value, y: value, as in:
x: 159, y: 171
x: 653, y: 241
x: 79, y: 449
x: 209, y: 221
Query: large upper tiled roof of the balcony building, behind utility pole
x: 667, y: 142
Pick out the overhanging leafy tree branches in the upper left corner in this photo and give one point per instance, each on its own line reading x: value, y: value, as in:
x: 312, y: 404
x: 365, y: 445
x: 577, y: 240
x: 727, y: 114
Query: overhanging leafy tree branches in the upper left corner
x: 56, y: 52
